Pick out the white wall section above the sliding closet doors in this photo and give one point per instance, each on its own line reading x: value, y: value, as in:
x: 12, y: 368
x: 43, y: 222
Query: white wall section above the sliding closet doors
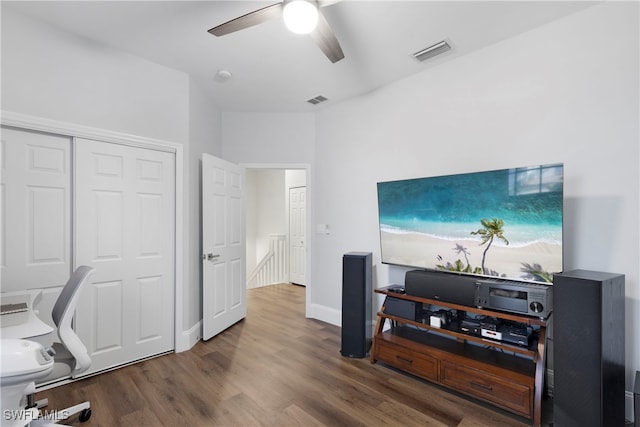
x: 54, y: 74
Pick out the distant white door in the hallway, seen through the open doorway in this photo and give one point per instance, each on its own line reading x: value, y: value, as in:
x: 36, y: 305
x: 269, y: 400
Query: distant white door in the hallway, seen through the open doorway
x: 297, y: 234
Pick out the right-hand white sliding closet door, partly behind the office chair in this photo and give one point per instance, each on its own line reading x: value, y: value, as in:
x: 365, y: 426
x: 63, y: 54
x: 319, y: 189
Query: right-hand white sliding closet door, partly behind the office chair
x: 125, y: 209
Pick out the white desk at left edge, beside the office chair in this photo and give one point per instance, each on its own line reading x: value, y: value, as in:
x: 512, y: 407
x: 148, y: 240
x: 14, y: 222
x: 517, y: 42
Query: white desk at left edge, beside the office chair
x: 25, y: 324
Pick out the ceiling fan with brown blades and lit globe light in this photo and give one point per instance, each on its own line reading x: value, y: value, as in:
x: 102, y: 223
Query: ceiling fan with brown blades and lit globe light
x: 319, y: 29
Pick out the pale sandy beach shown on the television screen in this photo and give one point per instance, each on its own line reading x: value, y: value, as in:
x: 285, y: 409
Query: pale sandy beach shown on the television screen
x: 414, y: 249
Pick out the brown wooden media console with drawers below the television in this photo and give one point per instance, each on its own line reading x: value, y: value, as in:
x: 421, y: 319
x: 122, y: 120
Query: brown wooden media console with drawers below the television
x: 508, y: 376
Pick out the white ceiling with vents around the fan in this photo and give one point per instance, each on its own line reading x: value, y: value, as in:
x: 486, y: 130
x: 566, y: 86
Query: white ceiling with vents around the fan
x: 275, y: 70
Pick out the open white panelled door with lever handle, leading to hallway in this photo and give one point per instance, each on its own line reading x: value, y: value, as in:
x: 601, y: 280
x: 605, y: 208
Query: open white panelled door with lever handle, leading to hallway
x: 223, y: 243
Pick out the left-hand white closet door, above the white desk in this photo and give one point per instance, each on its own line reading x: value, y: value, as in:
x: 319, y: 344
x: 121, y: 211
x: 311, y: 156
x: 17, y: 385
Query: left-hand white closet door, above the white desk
x: 35, y: 199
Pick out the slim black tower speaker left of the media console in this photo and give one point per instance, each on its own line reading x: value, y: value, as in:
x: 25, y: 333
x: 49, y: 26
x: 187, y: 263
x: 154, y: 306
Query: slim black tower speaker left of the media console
x: 357, y: 322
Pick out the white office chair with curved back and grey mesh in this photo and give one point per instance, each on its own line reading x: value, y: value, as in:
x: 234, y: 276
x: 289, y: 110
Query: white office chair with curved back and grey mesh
x: 71, y: 357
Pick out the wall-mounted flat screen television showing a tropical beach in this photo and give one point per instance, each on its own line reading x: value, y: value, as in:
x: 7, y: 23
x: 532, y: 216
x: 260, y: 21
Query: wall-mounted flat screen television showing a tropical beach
x: 504, y: 223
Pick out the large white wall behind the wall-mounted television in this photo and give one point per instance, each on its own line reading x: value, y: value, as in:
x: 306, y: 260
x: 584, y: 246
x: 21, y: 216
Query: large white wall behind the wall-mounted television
x: 566, y: 92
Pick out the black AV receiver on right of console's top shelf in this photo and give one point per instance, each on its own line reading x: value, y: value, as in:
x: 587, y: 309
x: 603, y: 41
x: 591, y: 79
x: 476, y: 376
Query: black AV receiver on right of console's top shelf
x: 530, y: 299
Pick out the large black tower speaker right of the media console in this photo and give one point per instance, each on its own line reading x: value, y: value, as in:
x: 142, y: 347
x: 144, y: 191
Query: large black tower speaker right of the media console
x: 588, y: 349
